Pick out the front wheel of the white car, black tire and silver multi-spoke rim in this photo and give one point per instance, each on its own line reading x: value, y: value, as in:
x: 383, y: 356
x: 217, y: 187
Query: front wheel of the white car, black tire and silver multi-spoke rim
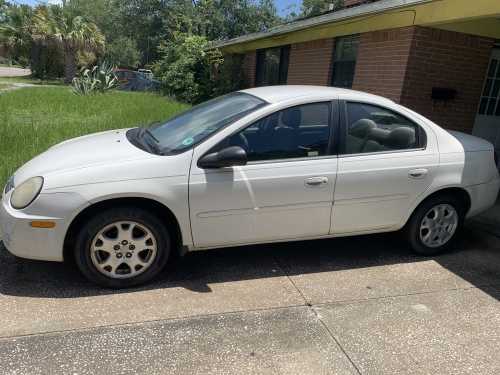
x: 122, y: 247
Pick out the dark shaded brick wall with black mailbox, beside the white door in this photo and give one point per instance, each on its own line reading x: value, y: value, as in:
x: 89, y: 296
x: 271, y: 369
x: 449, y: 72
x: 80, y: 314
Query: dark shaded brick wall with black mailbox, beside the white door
x: 446, y: 59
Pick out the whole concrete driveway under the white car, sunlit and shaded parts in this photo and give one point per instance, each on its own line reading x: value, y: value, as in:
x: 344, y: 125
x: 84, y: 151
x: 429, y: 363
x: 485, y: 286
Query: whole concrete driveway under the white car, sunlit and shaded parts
x: 361, y: 305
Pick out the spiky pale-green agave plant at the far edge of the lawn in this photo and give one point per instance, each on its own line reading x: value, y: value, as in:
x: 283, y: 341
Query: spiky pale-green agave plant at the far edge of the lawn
x: 99, y: 79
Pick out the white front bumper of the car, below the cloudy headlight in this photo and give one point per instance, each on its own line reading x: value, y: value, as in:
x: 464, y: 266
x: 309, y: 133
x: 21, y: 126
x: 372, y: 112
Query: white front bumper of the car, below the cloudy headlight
x: 24, y: 241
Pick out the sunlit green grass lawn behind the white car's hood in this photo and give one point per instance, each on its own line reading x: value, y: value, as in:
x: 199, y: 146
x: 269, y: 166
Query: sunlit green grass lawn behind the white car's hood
x: 33, y: 119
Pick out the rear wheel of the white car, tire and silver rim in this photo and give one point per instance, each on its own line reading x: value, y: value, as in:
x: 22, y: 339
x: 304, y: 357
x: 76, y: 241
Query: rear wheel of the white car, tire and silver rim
x: 435, y: 225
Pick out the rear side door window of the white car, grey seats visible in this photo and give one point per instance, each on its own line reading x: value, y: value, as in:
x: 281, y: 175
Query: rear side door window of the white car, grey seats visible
x: 375, y: 129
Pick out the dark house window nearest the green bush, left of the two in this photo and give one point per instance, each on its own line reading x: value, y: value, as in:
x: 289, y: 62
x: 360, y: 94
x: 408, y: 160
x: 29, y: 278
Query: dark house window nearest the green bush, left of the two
x: 272, y: 66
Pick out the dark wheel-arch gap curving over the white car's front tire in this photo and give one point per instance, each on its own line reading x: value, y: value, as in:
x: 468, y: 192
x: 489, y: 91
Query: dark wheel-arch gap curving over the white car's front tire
x: 160, y: 210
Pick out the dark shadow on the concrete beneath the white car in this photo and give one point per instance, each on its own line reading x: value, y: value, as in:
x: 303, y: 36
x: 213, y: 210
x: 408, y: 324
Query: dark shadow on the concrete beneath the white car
x: 476, y: 260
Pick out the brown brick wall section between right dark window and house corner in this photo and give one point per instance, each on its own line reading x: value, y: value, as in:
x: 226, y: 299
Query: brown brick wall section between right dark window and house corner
x: 382, y: 61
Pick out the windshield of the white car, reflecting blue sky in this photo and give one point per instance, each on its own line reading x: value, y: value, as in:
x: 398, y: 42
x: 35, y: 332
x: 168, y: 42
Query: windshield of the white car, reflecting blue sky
x: 201, y: 121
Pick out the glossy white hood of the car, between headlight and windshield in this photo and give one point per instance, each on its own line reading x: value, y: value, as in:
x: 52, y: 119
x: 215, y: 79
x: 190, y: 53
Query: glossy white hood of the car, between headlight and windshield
x: 83, y: 152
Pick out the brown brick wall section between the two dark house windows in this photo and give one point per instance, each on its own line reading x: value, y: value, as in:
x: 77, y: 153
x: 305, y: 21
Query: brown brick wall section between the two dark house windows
x: 310, y: 63
